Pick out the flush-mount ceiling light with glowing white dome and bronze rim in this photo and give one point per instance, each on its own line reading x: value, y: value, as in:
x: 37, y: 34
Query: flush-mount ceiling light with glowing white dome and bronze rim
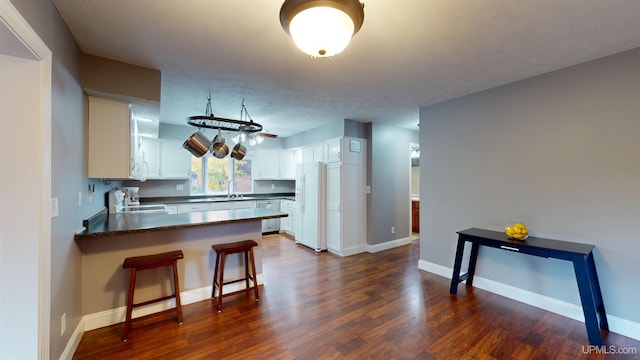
x: 322, y: 28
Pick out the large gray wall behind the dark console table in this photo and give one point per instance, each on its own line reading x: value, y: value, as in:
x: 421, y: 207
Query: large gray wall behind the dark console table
x: 558, y: 152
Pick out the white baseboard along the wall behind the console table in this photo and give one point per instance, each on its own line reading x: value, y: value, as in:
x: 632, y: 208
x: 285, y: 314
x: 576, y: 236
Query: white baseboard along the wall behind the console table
x: 617, y: 325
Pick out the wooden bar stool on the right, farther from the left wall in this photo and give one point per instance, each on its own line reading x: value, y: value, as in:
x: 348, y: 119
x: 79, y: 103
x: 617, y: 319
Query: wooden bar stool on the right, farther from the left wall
x: 222, y: 250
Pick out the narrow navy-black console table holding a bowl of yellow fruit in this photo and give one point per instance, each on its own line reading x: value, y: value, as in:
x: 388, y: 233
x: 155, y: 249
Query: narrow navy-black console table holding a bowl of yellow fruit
x: 581, y: 255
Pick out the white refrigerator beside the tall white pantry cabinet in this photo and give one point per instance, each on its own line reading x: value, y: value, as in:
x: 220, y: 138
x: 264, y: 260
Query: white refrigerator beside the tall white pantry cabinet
x: 310, y: 216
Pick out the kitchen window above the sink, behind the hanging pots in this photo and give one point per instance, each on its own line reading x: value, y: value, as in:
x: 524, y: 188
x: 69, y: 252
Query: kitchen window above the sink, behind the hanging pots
x: 213, y: 176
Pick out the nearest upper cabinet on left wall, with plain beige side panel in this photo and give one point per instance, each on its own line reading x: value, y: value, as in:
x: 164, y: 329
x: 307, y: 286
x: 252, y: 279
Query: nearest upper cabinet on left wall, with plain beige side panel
x: 114, y: 144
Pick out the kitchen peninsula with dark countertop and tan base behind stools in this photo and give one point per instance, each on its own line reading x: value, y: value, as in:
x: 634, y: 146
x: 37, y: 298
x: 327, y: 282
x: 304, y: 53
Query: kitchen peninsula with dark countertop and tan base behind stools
x: 109, y: 239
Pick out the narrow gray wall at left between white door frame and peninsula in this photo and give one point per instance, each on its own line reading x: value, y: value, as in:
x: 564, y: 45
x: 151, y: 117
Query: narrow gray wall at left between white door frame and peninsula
x: 68, y: 167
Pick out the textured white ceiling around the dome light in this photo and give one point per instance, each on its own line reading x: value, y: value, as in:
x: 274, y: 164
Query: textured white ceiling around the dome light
x: 408, y: 54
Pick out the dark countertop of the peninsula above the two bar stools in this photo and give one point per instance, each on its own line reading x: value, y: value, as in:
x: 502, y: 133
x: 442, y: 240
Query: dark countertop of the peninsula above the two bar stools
x: 120, y: 224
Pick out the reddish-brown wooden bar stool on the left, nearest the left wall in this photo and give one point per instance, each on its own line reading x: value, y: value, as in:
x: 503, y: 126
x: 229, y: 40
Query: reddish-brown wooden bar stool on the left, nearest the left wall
x: 149, y: 262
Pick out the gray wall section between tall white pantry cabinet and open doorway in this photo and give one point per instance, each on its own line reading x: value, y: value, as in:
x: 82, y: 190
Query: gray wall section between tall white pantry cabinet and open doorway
x: 389, y: 176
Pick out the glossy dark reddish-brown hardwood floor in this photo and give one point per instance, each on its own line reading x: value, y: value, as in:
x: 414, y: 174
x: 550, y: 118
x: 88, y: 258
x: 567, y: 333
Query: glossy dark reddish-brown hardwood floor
x: 367, y: 306
